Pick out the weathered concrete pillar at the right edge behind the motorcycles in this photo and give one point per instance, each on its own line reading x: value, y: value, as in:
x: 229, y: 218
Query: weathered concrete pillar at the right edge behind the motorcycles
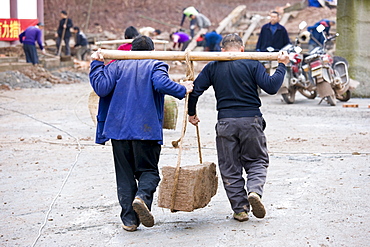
x: 353, y: 25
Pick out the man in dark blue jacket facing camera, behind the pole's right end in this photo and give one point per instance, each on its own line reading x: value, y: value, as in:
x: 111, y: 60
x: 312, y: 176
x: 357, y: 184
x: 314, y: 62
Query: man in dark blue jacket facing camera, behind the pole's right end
x: 272, y: 34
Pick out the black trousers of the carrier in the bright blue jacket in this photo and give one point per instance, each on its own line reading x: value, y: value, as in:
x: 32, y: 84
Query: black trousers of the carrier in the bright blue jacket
x: 136, y: 164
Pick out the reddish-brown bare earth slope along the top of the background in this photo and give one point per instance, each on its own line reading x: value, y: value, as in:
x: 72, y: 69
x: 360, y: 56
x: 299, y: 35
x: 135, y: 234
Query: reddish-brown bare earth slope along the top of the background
x: 116, y: 15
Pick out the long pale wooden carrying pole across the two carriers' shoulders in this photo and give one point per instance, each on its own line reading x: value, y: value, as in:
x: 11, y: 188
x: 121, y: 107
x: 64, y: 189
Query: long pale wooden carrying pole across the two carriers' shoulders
x: 193, y: 56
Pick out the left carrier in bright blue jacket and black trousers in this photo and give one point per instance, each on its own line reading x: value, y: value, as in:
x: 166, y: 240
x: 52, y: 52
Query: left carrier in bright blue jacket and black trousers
x: 131, y: 115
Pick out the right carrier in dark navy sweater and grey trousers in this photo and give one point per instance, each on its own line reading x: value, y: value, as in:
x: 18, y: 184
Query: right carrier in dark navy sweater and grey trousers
x: 240, y: 140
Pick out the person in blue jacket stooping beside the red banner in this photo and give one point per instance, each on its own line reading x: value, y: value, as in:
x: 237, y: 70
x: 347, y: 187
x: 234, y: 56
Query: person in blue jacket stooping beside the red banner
x: 28, y: 38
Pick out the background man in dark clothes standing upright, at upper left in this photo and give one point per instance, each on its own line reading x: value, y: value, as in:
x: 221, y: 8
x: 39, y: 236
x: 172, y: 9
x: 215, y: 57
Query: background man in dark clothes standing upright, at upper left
x: 64, y: 32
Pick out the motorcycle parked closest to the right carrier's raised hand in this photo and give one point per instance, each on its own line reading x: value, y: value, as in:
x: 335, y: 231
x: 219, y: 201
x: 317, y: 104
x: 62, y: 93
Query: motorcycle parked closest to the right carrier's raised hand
x: 297, y: 73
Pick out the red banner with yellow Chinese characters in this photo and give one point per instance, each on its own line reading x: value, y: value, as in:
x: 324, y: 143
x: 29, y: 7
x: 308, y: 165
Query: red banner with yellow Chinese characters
x: 11, y: 28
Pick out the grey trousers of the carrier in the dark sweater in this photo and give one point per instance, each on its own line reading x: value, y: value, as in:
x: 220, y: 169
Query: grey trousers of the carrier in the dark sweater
x: 241, y: 144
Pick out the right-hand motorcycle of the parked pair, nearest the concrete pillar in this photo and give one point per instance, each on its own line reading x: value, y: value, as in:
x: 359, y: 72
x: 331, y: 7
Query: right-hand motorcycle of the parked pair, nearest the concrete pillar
x: 329, y: 74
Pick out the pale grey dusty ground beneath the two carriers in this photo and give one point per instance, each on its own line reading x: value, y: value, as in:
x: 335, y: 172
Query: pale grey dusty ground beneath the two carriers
x: 57, y: 187
